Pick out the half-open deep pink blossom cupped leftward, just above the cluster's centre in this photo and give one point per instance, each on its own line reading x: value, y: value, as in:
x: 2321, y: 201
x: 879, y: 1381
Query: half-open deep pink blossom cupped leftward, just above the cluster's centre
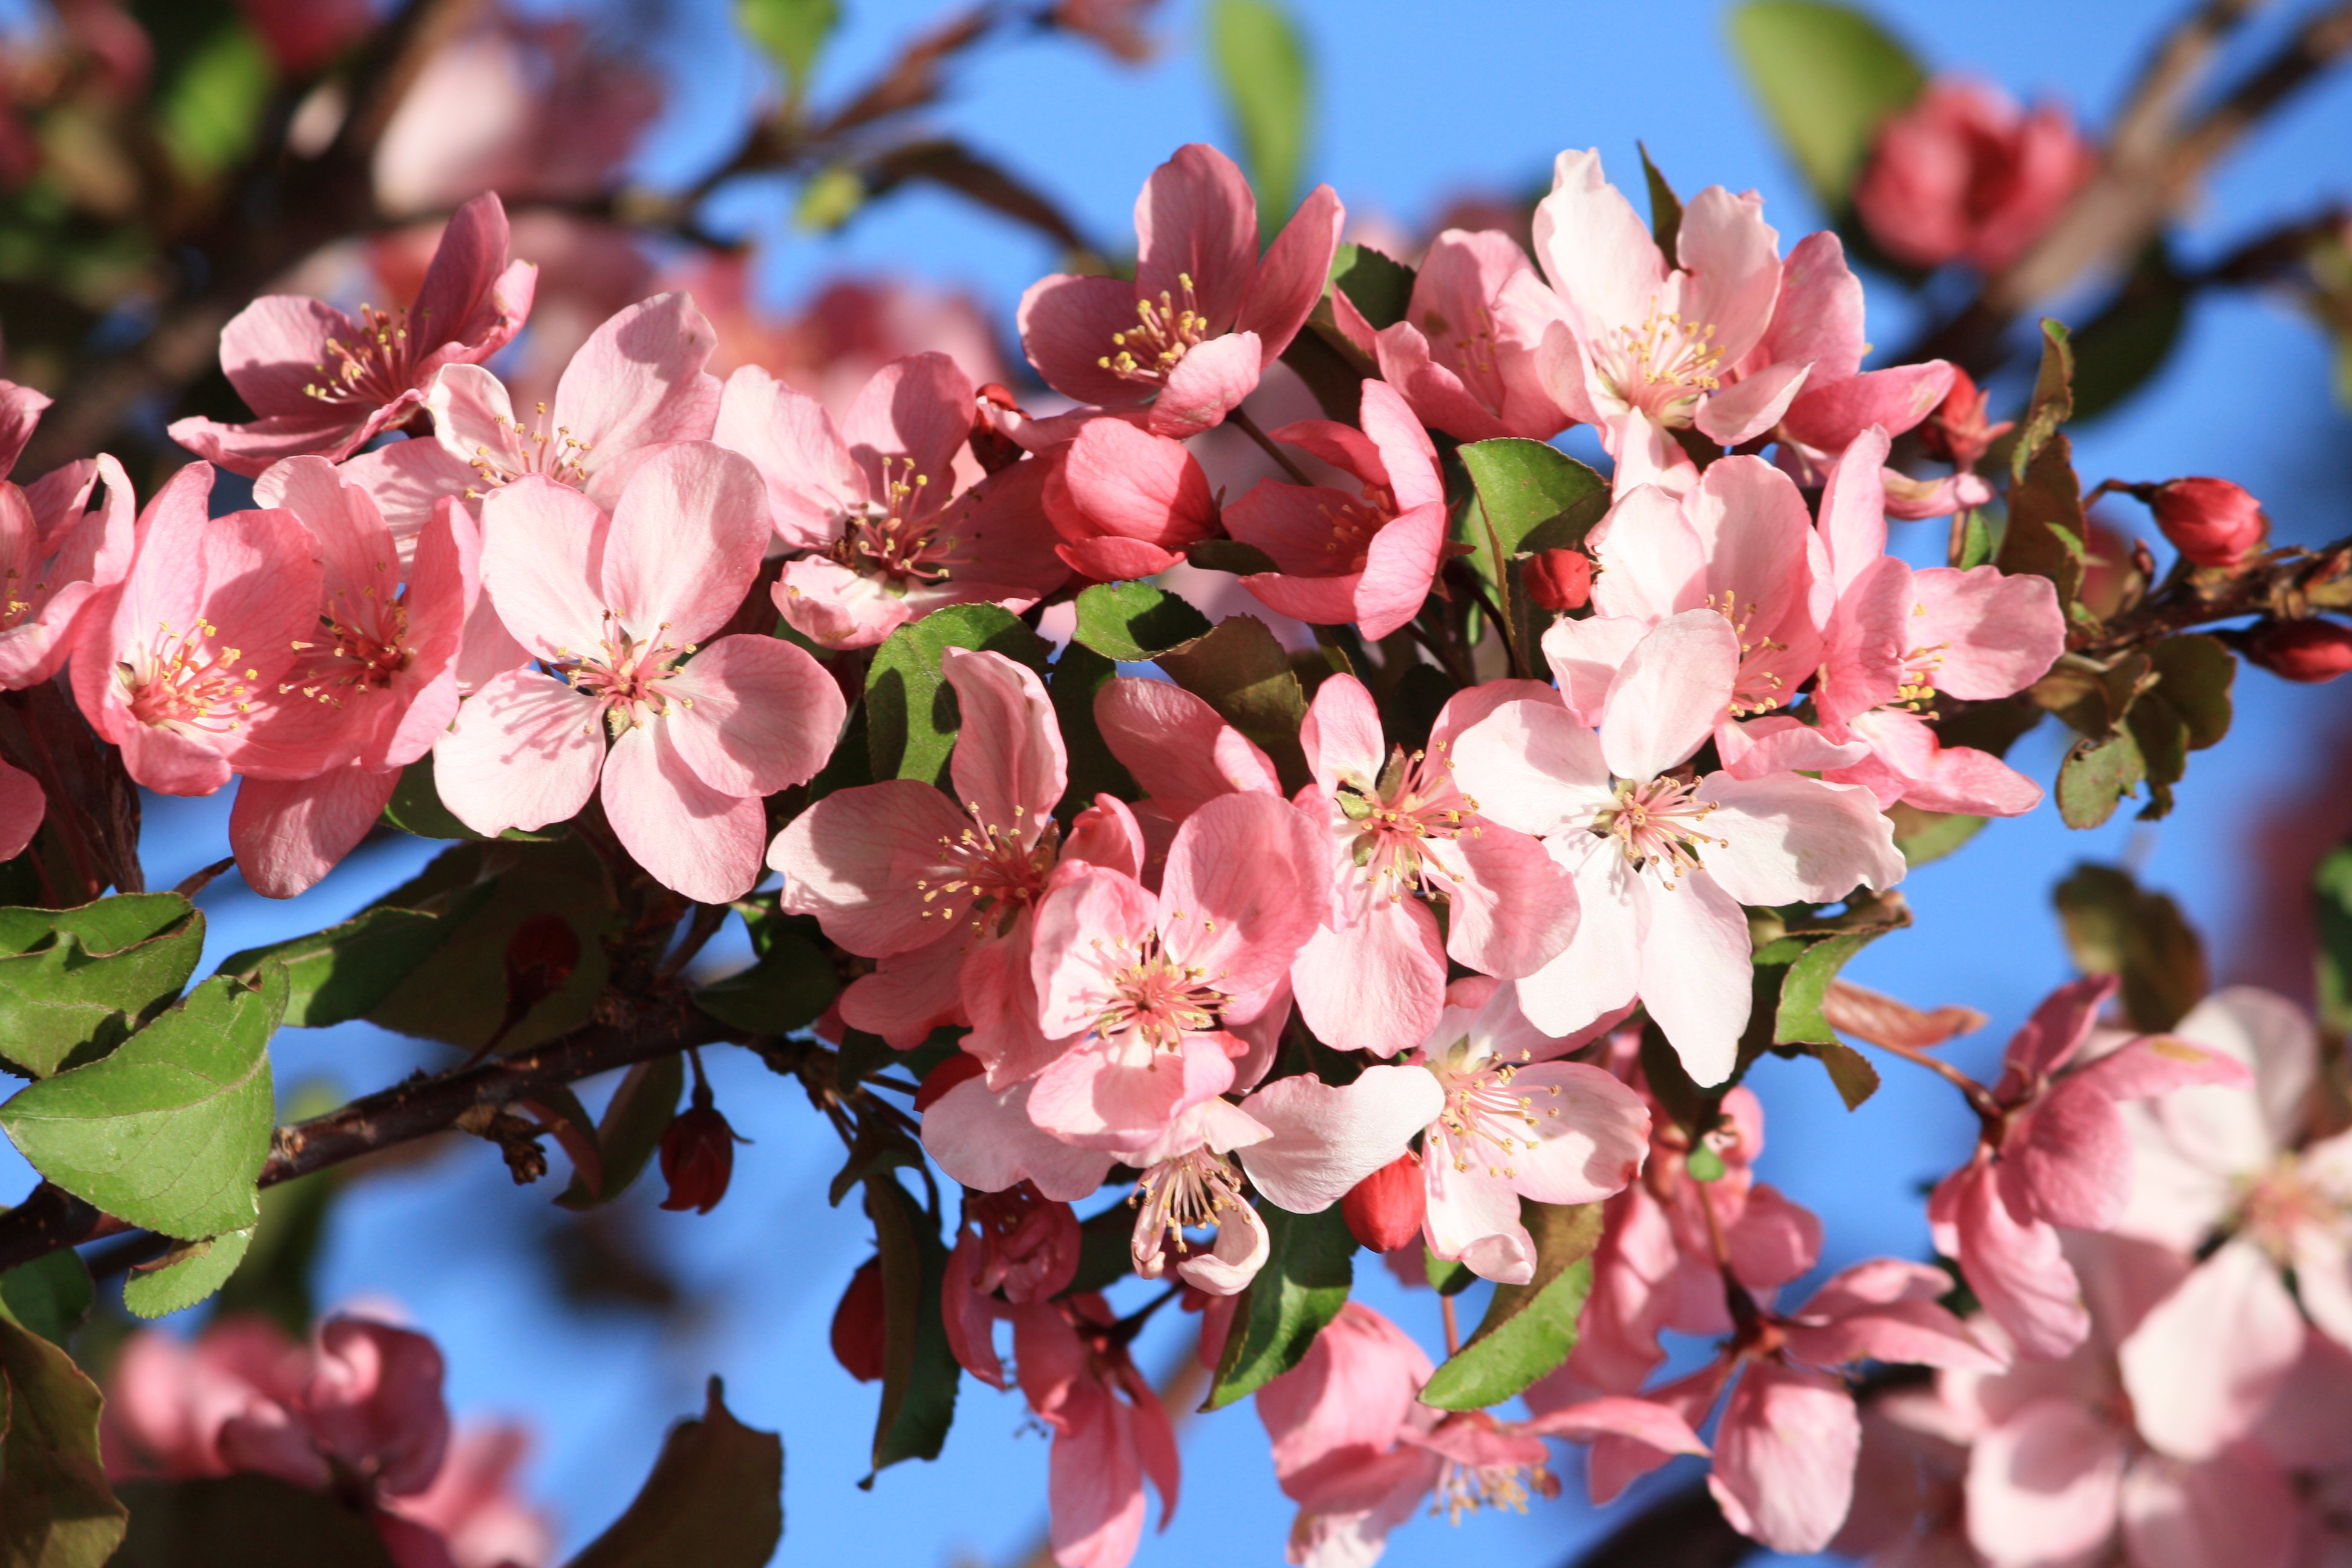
x: 1363, y: 554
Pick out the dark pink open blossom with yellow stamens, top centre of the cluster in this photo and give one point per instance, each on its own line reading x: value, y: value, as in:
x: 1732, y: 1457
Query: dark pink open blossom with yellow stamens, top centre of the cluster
x: 1205, y: 311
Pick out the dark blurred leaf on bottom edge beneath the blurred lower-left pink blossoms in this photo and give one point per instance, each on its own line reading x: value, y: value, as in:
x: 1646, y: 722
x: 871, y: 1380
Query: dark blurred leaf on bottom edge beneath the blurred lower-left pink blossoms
x: 243, y: 1522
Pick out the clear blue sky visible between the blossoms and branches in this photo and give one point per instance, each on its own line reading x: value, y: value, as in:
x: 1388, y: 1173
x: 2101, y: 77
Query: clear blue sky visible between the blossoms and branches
x: 1415, y: 105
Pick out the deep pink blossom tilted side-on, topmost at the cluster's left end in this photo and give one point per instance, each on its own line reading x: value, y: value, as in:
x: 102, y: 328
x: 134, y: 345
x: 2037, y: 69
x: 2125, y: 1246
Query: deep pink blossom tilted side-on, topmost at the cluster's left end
x: 328, y: 384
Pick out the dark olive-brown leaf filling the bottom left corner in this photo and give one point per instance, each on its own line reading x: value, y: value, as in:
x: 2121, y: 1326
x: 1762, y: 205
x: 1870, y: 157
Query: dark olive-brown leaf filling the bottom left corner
x: 55, y: 1506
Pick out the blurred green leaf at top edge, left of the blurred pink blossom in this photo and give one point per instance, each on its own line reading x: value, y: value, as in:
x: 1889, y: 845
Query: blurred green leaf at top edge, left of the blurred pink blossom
x: 1829, y: 79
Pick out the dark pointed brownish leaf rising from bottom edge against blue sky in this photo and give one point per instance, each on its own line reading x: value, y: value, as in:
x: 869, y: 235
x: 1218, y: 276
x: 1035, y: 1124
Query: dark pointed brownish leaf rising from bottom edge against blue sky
x: 716, y: 1501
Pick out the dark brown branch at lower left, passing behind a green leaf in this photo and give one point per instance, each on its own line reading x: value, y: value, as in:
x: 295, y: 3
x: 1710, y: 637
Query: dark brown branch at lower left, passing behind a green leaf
x: 420, y: 1108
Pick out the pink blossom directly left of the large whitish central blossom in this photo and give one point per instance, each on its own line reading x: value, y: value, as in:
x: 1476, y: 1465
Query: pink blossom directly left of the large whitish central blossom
x: 1401, y: 836
